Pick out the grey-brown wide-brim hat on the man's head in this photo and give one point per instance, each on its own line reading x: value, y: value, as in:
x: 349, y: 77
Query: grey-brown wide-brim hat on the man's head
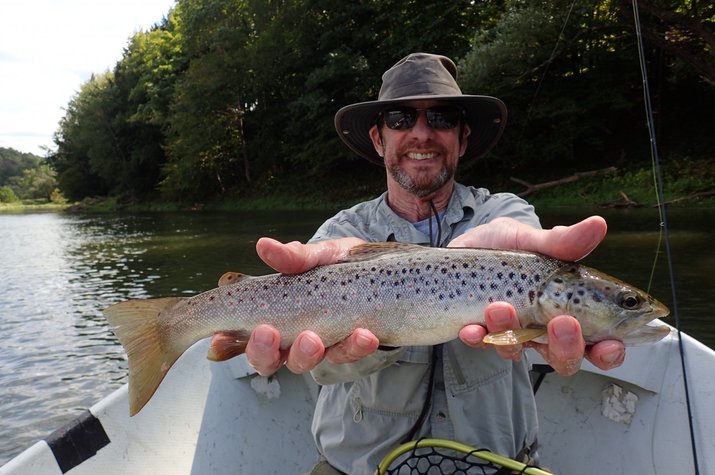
x: 421, y: 76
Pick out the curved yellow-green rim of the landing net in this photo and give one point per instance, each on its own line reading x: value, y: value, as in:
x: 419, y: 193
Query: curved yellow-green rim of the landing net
x: 496, y: 459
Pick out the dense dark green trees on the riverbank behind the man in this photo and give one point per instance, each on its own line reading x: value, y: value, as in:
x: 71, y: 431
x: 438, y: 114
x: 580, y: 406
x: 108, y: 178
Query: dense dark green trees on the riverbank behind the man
x: 232, y: 96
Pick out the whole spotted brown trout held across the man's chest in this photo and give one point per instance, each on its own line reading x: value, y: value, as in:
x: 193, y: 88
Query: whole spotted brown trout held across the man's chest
x: 405, y: 294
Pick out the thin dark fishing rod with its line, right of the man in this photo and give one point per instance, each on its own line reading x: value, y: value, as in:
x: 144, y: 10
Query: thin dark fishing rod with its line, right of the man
x: 664, y: 224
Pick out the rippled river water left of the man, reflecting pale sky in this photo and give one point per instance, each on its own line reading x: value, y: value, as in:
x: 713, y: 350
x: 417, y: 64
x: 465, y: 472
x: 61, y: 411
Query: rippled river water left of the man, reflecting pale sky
x: 59, y: 271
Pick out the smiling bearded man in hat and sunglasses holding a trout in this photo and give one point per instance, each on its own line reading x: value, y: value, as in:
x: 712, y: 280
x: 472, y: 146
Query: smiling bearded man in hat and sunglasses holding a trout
x: 372, y: 397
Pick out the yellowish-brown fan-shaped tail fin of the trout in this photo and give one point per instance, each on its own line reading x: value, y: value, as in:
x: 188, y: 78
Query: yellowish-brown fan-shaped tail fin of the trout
x: 135, y: 324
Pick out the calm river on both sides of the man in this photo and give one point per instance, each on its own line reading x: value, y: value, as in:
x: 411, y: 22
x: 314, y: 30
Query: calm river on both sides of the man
x: 58, y: 271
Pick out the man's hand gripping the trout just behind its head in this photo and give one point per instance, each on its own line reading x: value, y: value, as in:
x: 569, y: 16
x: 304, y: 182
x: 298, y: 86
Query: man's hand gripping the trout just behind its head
x: 566, y: 346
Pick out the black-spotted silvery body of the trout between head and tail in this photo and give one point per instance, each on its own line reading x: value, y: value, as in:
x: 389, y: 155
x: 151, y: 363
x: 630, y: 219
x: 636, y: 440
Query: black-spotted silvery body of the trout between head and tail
x: 405, y: 295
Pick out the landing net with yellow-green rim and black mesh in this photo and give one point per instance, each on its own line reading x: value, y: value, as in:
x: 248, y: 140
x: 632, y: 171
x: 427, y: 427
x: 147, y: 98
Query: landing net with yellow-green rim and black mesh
x: 440, y: 456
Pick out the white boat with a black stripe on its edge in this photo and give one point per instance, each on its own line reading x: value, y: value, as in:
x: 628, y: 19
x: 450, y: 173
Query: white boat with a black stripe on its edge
x: 224, y: 418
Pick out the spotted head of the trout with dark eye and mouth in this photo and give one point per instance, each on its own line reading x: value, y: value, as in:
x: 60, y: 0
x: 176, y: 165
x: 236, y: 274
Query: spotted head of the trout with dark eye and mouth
x: 606, y: 307
